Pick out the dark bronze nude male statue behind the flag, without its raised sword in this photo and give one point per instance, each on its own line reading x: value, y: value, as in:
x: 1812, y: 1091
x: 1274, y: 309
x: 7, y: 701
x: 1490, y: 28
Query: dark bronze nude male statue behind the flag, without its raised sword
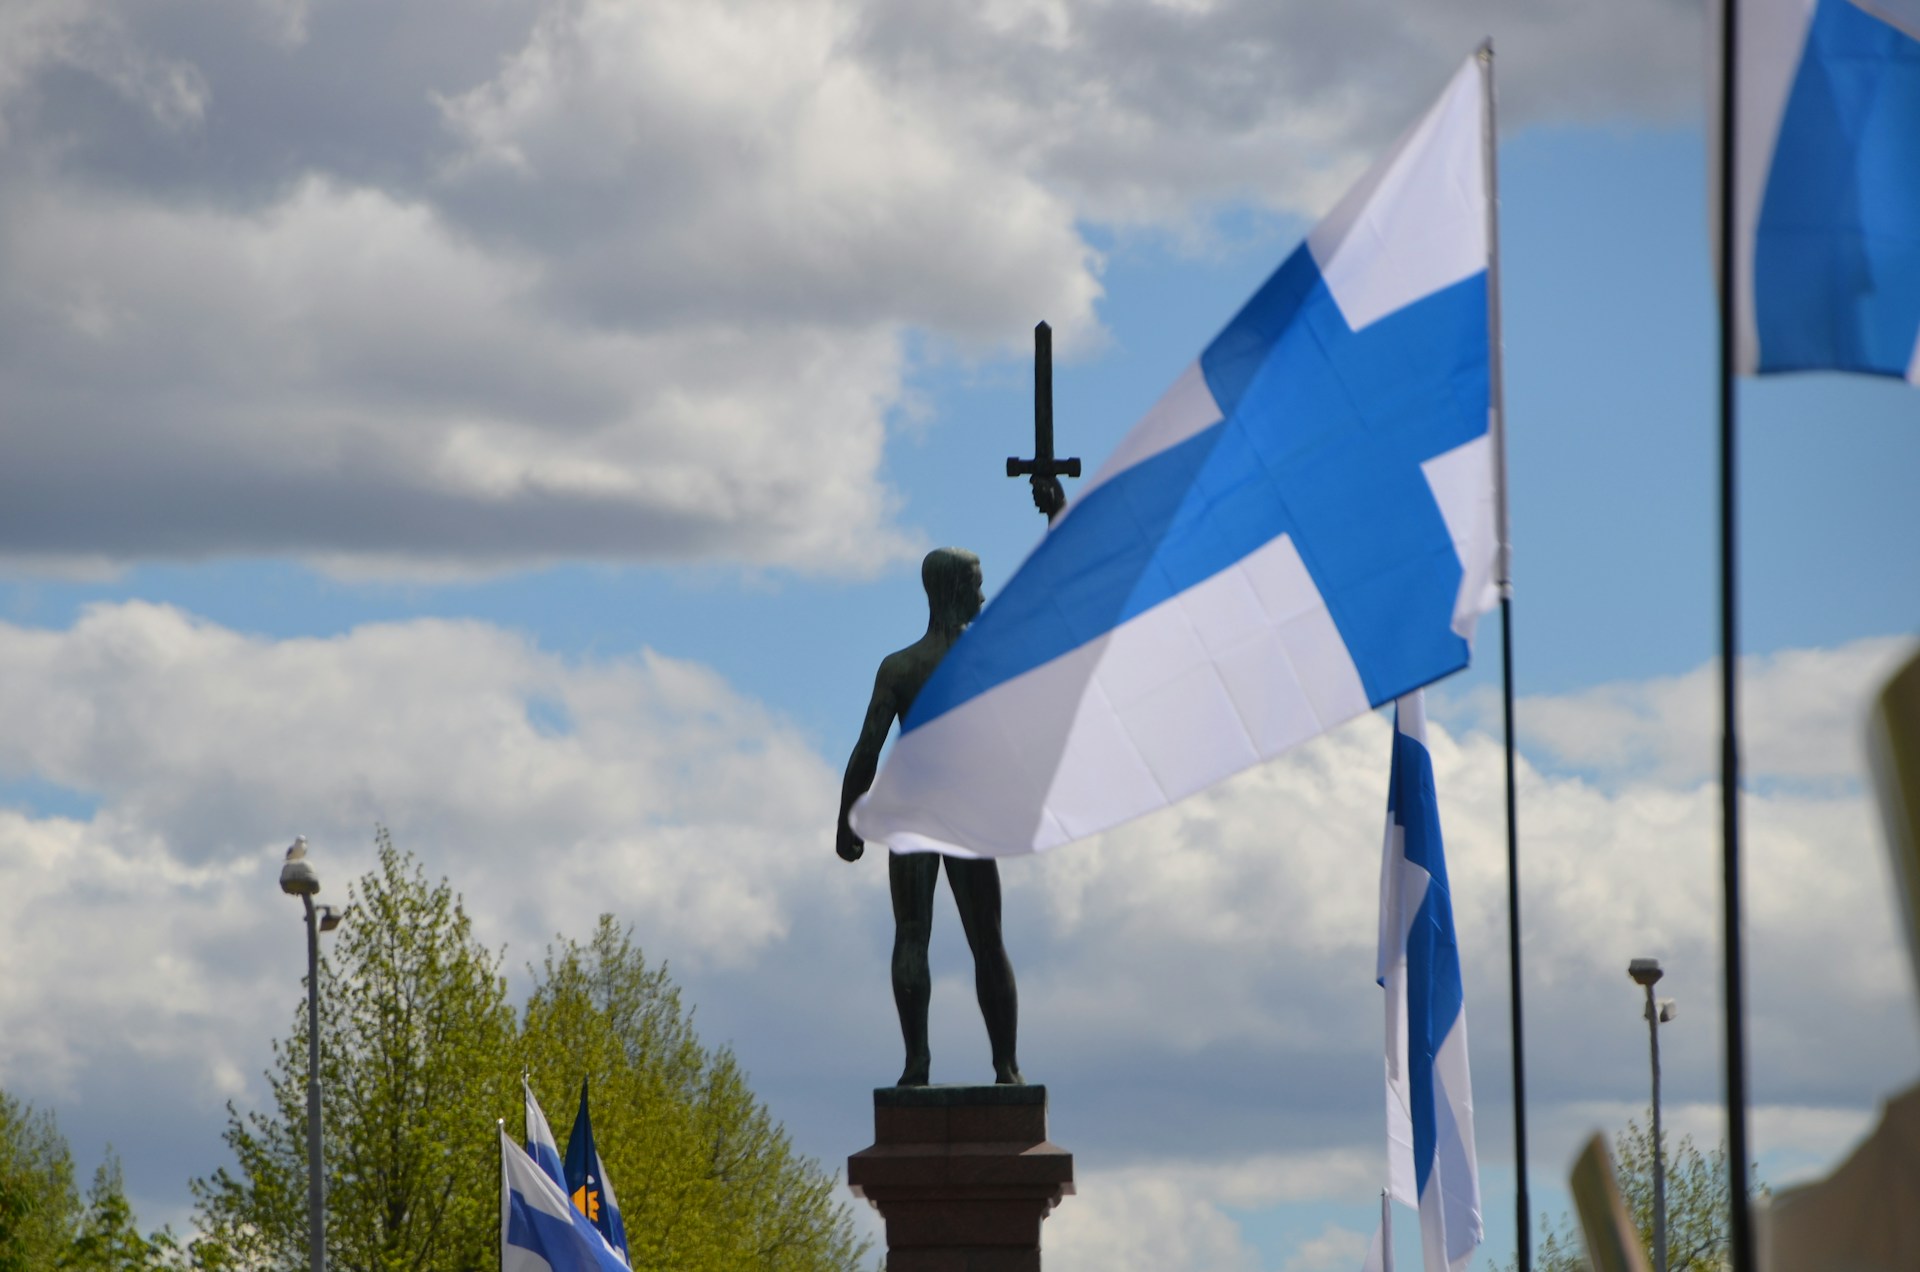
x: 953, y: 581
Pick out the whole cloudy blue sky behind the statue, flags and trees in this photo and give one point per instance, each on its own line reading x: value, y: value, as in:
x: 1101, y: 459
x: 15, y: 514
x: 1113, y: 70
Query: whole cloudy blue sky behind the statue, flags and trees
x: 517, y: 424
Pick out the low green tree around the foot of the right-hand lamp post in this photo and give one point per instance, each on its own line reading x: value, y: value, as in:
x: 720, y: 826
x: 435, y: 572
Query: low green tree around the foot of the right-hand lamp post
x: 1698, y: 1236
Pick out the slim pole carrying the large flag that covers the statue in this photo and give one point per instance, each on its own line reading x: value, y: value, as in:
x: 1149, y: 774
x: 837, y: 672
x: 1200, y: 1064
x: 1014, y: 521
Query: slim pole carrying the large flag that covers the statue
x: 1497, y: 404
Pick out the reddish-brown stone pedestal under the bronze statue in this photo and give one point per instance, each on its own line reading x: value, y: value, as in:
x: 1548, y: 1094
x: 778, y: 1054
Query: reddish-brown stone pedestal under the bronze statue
x: 963, y: 1175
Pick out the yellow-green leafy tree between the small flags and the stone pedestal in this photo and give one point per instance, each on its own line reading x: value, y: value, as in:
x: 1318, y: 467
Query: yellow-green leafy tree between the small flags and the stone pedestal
x: 704, y: 1173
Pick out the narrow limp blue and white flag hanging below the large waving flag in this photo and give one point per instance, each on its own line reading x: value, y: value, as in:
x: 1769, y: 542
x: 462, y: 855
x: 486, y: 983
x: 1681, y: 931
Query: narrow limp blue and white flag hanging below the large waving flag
x: 1429, y: 1098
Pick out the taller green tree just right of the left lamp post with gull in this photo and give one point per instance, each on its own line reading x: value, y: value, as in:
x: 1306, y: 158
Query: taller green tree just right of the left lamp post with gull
x: 418, y: 1044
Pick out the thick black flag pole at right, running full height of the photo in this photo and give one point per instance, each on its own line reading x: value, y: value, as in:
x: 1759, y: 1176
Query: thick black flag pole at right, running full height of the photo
x: 1740, y: 1223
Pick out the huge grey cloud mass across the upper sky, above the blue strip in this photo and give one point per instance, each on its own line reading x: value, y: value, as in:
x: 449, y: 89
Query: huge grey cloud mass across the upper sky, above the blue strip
x: 636, y: 281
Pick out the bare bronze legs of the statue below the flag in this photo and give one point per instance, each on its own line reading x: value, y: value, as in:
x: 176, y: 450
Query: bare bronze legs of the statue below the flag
x: 976, y: 887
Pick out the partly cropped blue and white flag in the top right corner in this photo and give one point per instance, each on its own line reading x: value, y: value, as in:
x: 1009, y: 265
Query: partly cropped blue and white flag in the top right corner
x: 1827, y: 197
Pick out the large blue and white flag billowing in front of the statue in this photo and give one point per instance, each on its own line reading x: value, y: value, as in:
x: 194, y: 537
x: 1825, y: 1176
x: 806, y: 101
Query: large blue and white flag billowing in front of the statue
x: 1305, y: 527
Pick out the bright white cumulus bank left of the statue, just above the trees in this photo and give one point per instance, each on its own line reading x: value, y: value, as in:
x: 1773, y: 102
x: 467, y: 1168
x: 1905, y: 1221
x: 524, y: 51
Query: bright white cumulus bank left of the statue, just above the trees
x: 460, y: 737
